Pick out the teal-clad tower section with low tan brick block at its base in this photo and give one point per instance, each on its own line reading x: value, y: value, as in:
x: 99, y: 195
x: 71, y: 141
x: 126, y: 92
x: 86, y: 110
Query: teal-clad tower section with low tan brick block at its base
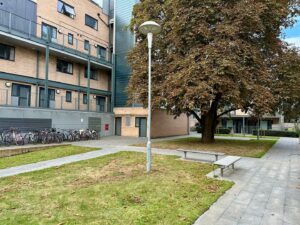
x: 132, y: 120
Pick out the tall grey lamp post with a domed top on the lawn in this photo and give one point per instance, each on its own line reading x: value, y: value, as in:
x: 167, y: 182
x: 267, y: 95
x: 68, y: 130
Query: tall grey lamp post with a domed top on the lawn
x: 149, y: 28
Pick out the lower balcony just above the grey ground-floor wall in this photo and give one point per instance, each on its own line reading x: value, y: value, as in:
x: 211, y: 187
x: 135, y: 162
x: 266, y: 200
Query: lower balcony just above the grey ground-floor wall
x: 25, y: 97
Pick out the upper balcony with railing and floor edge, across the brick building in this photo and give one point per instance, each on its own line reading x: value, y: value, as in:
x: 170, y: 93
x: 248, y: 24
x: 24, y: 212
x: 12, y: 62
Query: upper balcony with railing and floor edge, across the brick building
x: 31, y: 34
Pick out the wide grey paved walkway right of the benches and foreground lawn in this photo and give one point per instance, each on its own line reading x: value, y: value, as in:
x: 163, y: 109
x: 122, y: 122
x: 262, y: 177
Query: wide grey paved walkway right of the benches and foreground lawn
x: 266, y: 191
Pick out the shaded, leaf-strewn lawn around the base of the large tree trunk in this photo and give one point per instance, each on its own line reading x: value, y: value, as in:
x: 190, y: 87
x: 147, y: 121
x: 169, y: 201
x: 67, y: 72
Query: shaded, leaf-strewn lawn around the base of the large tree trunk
x: 246, y: 148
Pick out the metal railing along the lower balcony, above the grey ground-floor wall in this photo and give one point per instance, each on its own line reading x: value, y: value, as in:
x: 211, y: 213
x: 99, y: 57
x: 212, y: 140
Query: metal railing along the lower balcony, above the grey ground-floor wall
x: 55, y: 101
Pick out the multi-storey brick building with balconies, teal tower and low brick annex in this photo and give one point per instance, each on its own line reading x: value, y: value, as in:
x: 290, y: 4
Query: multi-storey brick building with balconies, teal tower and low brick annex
x: 63, y: 65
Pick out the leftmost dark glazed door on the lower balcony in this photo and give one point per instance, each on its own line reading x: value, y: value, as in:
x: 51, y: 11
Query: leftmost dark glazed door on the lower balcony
x: 21, y: 95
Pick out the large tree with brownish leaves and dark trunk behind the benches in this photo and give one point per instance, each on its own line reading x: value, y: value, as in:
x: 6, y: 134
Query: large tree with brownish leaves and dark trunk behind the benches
x: 212, y: 57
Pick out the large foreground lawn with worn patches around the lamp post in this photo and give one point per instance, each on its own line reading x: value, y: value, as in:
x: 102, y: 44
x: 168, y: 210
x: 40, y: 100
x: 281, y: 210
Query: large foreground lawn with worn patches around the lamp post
x: 111, y: 190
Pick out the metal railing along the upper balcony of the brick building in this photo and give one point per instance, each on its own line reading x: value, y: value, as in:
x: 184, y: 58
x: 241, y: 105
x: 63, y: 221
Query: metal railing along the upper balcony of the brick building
x: 60, y: 36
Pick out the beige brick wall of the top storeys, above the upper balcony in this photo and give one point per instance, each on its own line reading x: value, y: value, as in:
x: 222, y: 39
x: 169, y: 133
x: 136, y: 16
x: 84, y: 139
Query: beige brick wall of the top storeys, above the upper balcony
x: 47, y: 13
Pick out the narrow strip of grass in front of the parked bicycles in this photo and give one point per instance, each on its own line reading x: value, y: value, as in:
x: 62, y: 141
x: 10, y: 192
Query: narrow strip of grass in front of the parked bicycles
x: 42, y: 155
